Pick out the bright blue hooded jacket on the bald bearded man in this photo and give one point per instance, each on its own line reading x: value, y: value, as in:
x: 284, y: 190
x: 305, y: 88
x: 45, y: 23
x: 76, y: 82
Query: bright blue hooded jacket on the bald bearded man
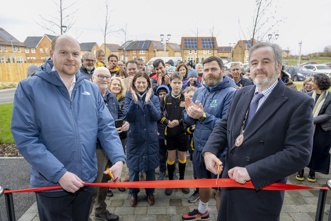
x: 57, y: 133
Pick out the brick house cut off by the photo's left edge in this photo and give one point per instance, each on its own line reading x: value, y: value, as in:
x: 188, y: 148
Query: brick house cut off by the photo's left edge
x: 11, y: 50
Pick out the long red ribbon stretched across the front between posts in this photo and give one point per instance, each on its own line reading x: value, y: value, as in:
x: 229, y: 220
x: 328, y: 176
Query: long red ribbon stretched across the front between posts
x: 196, y: 183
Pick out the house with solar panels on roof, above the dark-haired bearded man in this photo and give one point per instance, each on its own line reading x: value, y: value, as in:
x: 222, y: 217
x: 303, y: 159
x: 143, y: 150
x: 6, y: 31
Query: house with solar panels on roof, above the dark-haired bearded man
x: 196, y: 49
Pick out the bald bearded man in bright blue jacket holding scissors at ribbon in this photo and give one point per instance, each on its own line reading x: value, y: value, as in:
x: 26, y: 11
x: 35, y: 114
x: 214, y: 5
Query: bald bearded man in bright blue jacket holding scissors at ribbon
x: 57, y: 118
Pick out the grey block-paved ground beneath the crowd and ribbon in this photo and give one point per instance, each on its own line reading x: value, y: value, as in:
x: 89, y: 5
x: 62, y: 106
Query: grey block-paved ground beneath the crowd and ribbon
x: 298, y: 205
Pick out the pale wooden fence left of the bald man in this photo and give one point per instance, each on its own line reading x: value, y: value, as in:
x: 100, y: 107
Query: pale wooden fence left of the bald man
x: 14, y: 72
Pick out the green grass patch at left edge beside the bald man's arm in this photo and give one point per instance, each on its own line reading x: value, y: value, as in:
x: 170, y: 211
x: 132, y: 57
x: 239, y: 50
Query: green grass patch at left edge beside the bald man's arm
x: 5, y: 119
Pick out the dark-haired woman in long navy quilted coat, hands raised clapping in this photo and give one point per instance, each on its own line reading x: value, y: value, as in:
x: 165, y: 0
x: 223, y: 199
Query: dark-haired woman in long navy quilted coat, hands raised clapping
x: 142, y: 110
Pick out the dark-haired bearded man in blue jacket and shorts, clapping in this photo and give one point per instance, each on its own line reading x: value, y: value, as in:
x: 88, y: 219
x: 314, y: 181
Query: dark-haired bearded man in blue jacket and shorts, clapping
x: 208, y: 105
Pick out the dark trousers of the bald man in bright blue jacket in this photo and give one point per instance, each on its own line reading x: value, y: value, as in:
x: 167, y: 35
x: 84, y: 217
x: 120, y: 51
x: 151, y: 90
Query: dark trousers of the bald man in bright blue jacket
x: 64, y: 206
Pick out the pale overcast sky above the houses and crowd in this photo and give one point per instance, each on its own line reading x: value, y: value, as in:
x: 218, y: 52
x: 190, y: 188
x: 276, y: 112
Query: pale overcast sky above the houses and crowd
x: 294, y: 20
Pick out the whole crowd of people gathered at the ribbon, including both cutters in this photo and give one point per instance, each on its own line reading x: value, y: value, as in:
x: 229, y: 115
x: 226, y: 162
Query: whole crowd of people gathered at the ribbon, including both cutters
x: 79, y: 119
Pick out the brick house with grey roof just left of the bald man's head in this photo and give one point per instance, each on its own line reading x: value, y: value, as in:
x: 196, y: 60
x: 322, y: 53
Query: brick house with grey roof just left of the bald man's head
x: 37, y: 48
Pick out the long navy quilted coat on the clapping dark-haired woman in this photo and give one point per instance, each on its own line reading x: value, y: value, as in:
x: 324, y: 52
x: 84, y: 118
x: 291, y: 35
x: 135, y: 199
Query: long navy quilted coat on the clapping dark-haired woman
x: 142, y: 145
